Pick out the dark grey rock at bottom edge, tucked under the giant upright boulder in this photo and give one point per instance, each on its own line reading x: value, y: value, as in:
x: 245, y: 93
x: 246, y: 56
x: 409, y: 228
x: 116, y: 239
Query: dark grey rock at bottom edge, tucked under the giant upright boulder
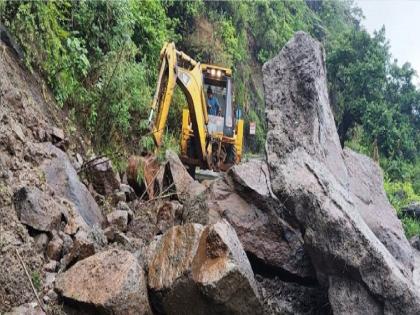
x: 350, y: 297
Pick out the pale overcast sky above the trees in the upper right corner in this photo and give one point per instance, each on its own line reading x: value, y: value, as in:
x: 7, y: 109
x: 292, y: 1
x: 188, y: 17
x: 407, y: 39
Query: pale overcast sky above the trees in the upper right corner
x: 402, y: 26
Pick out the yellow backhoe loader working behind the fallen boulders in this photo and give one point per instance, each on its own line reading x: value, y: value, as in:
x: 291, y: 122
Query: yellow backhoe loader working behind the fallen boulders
x: 208, y: 141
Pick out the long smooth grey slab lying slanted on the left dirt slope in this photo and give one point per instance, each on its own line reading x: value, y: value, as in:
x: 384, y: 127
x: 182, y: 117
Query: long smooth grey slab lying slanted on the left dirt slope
x: 62, y: 178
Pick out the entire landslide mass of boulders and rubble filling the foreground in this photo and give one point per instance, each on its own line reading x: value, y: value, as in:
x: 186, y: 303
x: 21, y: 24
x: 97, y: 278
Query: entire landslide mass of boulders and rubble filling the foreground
x: 306, y: 230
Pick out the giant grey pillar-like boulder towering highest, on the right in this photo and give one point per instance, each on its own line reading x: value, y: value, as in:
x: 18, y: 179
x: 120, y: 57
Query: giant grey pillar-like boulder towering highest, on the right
x: 309, y: 176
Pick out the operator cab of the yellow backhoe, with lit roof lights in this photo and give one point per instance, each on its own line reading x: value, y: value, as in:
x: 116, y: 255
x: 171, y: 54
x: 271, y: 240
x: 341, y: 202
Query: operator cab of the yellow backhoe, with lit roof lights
x: 220, y: 81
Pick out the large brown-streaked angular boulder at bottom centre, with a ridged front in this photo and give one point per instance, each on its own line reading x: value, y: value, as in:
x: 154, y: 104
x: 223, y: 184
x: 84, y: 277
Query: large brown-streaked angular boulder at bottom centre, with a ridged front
x: 201, y: 270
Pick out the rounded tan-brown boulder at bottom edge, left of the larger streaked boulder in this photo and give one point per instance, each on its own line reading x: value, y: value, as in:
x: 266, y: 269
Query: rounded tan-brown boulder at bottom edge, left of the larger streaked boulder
x: 110, y: 282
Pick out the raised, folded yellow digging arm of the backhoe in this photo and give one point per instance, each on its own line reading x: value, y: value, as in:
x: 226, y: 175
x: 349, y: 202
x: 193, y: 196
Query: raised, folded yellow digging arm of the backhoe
x: 178, y: 68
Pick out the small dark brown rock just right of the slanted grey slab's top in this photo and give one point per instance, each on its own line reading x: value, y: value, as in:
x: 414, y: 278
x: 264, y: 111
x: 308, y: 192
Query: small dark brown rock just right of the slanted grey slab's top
x: 102, y: 176
